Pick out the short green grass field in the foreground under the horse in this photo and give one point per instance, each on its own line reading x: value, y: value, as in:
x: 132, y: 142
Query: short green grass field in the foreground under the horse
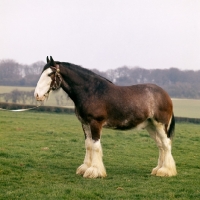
x: 39, y: 154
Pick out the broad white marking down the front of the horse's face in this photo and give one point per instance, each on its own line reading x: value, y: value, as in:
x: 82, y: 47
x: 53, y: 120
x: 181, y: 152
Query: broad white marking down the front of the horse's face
x: 43, y: 85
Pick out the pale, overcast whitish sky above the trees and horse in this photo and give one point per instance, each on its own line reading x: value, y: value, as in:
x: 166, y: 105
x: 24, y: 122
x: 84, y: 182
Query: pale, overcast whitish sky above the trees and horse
x: 102, y: 34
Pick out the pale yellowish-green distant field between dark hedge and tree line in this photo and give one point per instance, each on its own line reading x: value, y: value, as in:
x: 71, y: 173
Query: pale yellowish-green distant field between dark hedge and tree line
x: 182, y: 107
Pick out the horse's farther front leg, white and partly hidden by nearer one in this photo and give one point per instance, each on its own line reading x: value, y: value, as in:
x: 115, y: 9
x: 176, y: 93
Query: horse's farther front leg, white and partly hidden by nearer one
x: 88, y: 155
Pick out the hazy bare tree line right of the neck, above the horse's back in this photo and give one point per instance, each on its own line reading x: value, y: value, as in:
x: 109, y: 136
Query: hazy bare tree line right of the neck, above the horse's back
x: 178, y: 83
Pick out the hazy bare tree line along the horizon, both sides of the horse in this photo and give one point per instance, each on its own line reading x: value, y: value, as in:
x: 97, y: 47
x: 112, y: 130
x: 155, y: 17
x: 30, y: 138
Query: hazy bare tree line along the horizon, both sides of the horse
x: 178, y: 83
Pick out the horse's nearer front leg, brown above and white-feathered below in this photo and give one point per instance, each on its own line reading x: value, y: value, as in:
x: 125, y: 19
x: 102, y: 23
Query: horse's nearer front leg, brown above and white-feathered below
x: 93, y: 158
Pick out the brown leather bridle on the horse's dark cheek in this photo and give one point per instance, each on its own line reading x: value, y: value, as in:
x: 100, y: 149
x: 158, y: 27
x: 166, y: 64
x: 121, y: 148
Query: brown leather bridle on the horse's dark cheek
x: 57, y: 80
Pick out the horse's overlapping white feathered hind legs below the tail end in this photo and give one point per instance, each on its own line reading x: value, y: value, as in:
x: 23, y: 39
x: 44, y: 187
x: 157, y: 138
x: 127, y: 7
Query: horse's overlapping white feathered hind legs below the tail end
x: 166, y: 165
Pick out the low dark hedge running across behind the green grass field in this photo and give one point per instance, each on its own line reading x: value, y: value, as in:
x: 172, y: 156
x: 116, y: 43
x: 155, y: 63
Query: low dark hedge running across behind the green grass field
x: 12, y: 106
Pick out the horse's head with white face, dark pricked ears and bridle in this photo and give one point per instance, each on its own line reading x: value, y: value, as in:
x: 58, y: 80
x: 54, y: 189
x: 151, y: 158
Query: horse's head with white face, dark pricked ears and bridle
x: 50, y: 79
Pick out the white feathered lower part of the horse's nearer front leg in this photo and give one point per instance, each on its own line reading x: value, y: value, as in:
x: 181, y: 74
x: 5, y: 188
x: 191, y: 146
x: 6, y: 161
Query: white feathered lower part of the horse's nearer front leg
x: 97, y: 168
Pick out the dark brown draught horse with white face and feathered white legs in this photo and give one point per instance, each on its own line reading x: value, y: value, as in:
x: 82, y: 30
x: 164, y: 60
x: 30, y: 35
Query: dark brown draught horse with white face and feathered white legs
x: 100, y: 103
